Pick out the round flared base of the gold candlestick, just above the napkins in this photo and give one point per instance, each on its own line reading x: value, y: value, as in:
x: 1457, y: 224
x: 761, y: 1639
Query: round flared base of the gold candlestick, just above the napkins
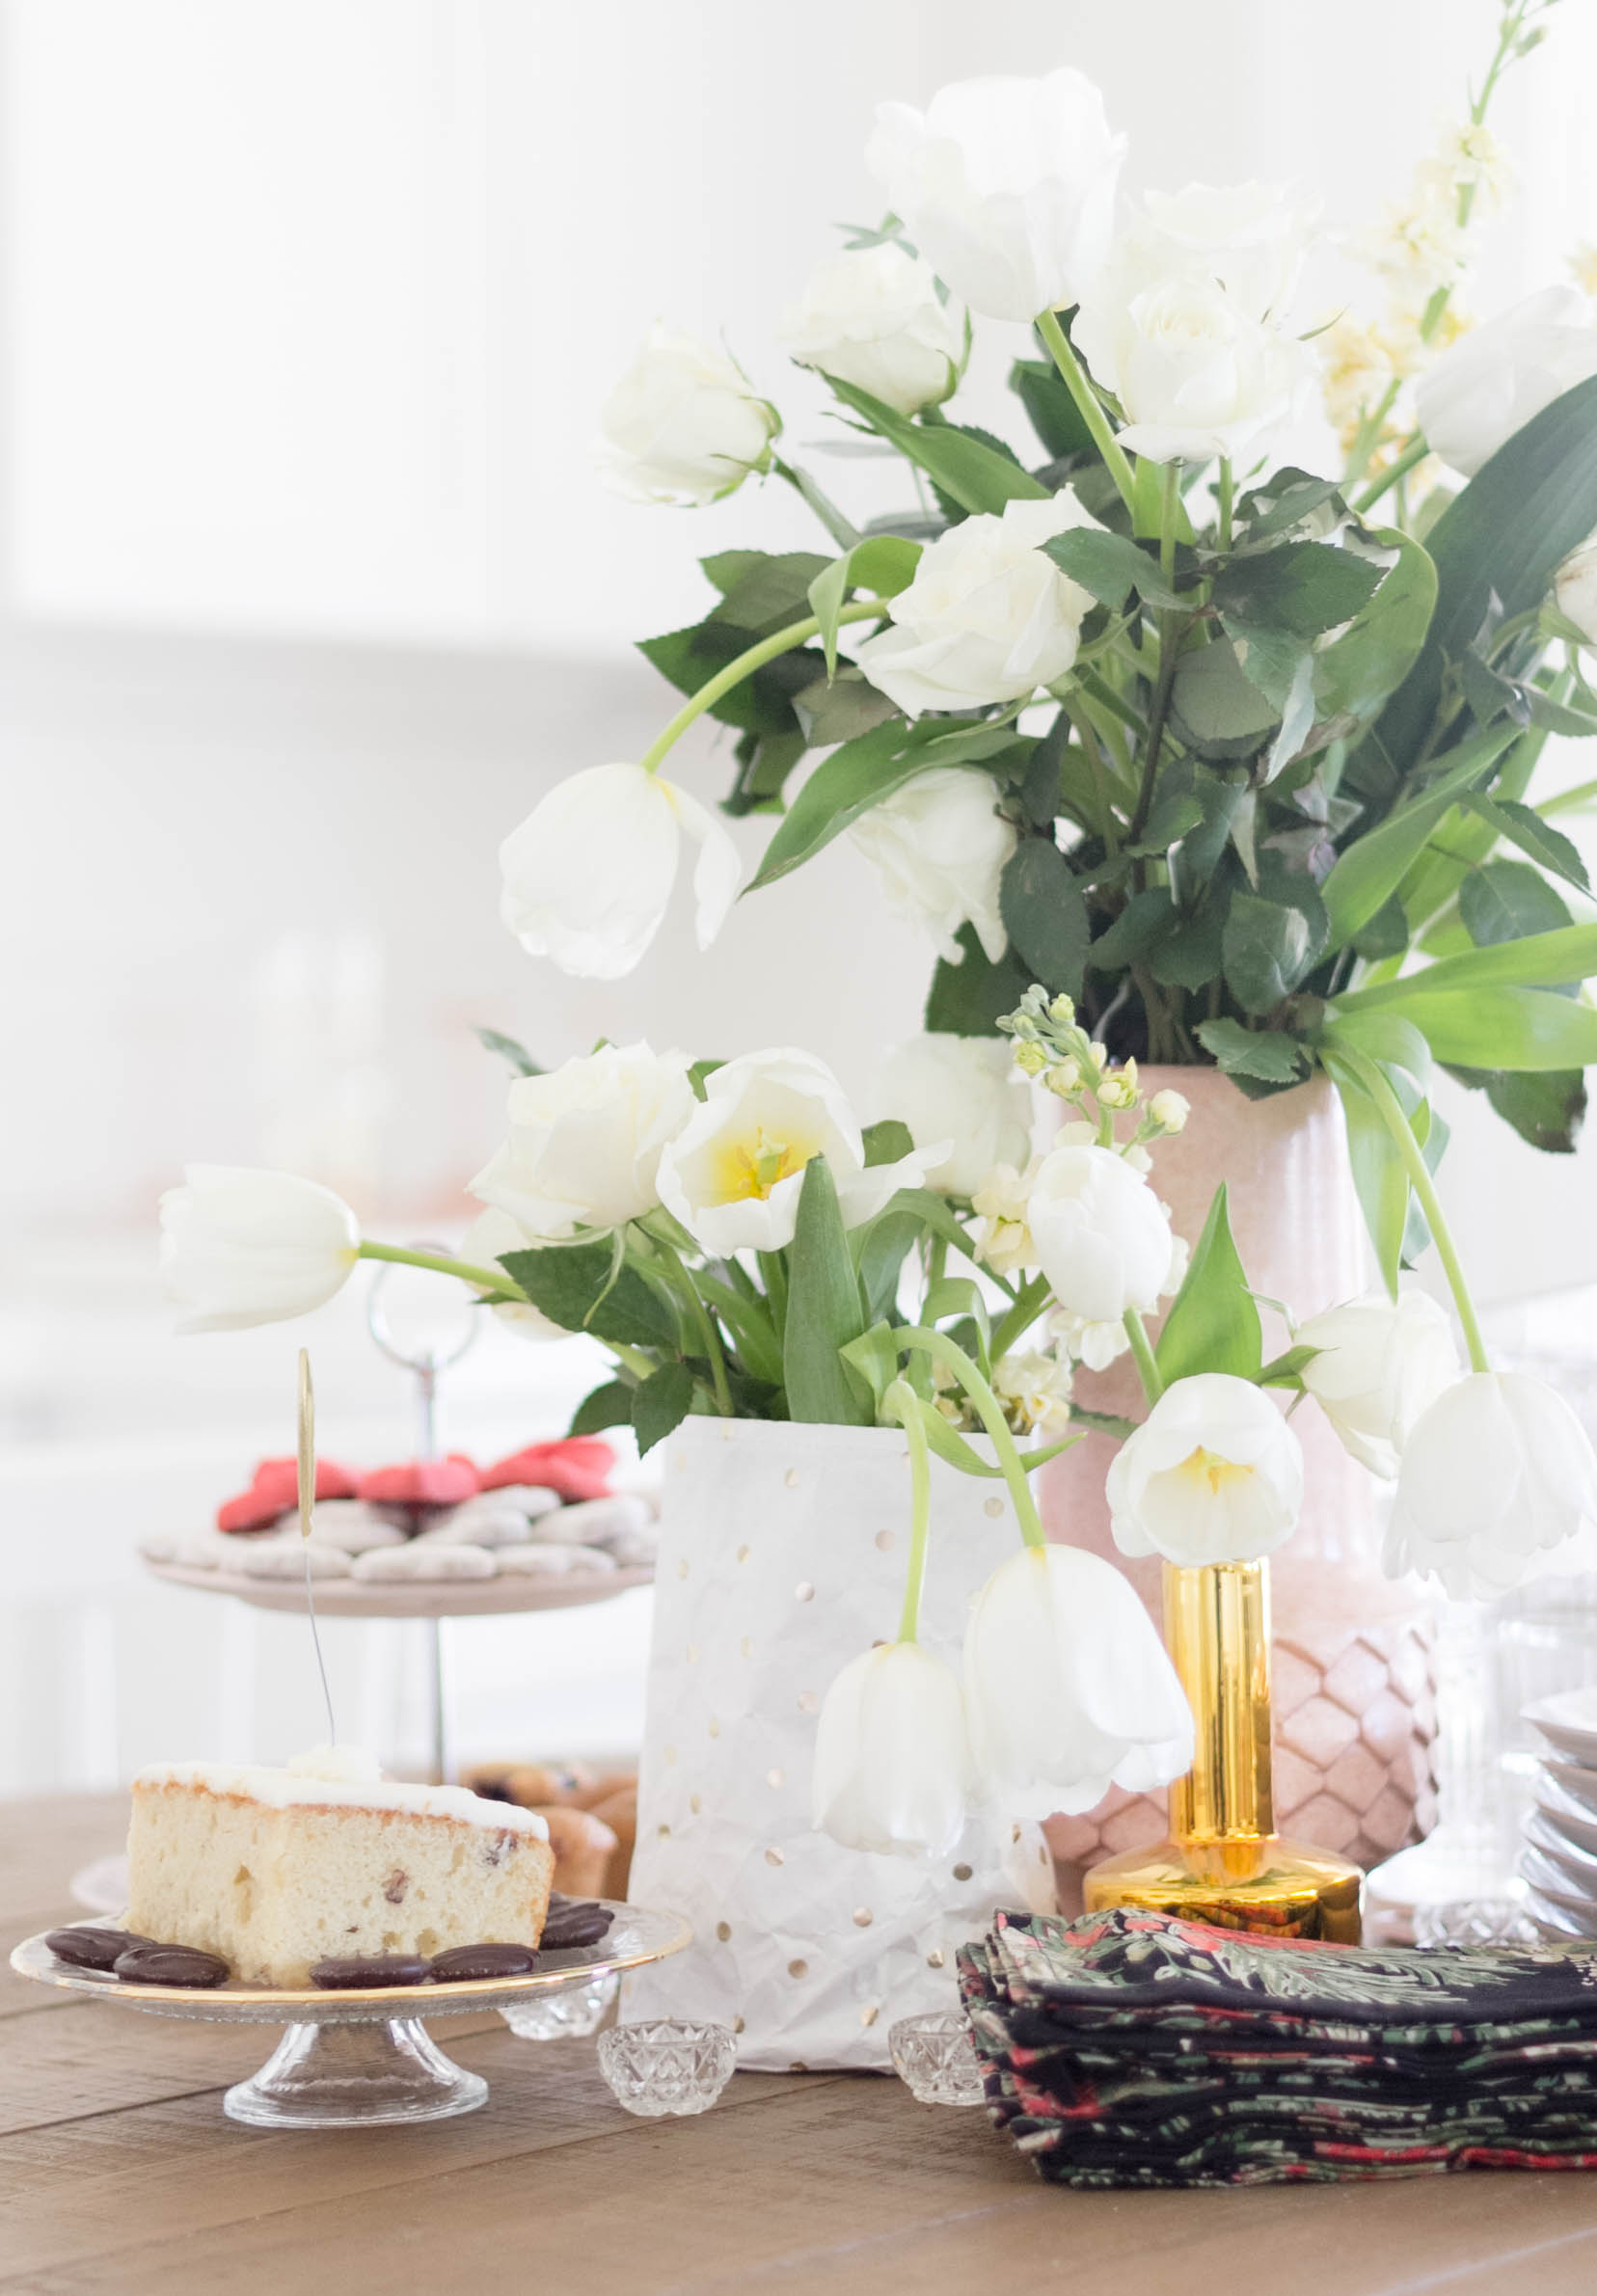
x: 1268, y: 1886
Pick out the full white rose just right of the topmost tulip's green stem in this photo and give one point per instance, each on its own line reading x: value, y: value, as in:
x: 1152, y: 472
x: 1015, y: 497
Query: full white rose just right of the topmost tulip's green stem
x: 1194, y: 371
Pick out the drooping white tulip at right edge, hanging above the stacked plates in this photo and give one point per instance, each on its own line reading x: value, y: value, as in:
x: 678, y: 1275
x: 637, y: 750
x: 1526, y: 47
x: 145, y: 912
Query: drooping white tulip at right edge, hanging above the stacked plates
x: 1495, y: 1477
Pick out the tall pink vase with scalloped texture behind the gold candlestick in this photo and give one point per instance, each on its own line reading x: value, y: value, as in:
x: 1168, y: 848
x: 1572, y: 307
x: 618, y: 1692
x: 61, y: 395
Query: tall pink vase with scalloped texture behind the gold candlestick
x: 1353, y: 1652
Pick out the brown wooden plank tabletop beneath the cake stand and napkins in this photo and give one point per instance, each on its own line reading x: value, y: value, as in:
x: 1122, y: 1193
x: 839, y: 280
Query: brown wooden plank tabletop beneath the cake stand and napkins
x: 118, y: 2173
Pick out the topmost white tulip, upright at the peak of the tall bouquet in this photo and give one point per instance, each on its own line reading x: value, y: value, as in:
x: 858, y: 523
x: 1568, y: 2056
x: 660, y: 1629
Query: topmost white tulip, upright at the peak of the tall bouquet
x: 1006, y: 187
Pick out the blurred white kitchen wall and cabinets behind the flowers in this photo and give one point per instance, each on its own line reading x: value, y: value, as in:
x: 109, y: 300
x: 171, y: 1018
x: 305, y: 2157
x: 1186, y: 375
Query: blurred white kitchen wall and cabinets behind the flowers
x: 309, y: 594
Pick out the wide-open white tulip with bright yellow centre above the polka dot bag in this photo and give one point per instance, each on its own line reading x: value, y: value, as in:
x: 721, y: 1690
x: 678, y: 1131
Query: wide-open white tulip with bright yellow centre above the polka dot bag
x: 735, y: 1172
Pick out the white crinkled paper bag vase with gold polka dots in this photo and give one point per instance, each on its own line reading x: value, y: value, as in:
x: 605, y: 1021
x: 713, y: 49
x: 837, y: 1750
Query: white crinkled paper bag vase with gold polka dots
x: 781, y: 1560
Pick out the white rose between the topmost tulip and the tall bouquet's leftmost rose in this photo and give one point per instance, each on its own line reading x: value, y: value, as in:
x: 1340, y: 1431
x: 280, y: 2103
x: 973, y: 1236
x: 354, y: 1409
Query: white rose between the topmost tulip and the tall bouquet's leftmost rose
x: 873, y: 318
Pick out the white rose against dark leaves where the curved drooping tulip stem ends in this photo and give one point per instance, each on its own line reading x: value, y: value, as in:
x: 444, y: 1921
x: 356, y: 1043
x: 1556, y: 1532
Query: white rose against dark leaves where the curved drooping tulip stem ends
x: 988, y: 619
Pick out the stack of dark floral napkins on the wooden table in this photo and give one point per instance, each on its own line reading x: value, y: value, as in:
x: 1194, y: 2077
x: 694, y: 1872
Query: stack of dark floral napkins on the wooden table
x: 1137, y: 2049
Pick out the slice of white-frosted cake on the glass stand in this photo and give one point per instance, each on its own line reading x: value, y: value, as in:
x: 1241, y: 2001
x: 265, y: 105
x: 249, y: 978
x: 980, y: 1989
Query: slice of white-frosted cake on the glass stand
x: 276, y: 1870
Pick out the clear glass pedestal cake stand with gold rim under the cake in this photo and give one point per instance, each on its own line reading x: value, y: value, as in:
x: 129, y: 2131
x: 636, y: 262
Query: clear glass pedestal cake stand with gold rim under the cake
x: 357, y: 2061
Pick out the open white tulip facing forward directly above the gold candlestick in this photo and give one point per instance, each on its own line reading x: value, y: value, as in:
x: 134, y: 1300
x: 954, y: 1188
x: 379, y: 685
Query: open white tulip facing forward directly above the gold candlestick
x: 1215, y: 1475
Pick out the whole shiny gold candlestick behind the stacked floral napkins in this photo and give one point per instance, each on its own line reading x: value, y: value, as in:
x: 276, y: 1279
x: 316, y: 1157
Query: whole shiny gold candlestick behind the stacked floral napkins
x: 1224, y: 1861
